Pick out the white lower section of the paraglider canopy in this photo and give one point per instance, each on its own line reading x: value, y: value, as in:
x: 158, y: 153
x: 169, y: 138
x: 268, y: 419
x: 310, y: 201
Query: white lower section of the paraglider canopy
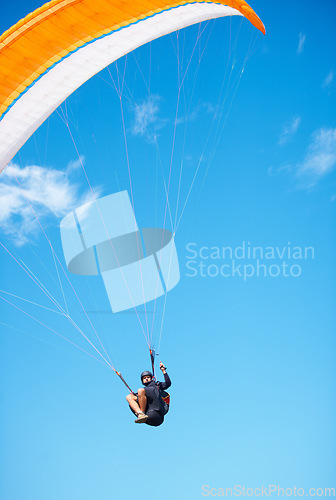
x: 46, y: 94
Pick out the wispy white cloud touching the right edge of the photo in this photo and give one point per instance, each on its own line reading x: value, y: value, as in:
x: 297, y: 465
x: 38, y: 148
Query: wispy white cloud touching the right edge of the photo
x: 320, y: 159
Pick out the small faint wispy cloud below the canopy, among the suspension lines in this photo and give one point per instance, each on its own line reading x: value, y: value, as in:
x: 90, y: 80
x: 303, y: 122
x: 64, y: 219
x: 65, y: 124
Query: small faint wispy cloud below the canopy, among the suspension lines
x: 146, y: 120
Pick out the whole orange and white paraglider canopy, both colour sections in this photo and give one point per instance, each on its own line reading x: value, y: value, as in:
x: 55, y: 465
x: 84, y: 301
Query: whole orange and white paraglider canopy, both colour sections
x: 55, y: 49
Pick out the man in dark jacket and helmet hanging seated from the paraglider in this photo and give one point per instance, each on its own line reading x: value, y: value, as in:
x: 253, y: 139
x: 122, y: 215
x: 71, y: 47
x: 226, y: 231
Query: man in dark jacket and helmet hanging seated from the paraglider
x: 148, y: 404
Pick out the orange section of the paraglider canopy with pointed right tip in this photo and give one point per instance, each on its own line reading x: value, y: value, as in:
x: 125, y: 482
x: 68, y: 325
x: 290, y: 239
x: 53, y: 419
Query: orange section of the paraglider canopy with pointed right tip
x: 60, y: 27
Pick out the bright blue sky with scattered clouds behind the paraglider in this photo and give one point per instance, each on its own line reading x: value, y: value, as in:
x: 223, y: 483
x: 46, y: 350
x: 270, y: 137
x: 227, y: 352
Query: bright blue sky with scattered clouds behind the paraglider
x: 251, y: 360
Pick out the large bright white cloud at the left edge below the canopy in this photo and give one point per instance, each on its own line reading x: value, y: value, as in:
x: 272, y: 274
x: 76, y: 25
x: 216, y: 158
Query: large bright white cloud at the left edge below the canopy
x: 36, y: 192
